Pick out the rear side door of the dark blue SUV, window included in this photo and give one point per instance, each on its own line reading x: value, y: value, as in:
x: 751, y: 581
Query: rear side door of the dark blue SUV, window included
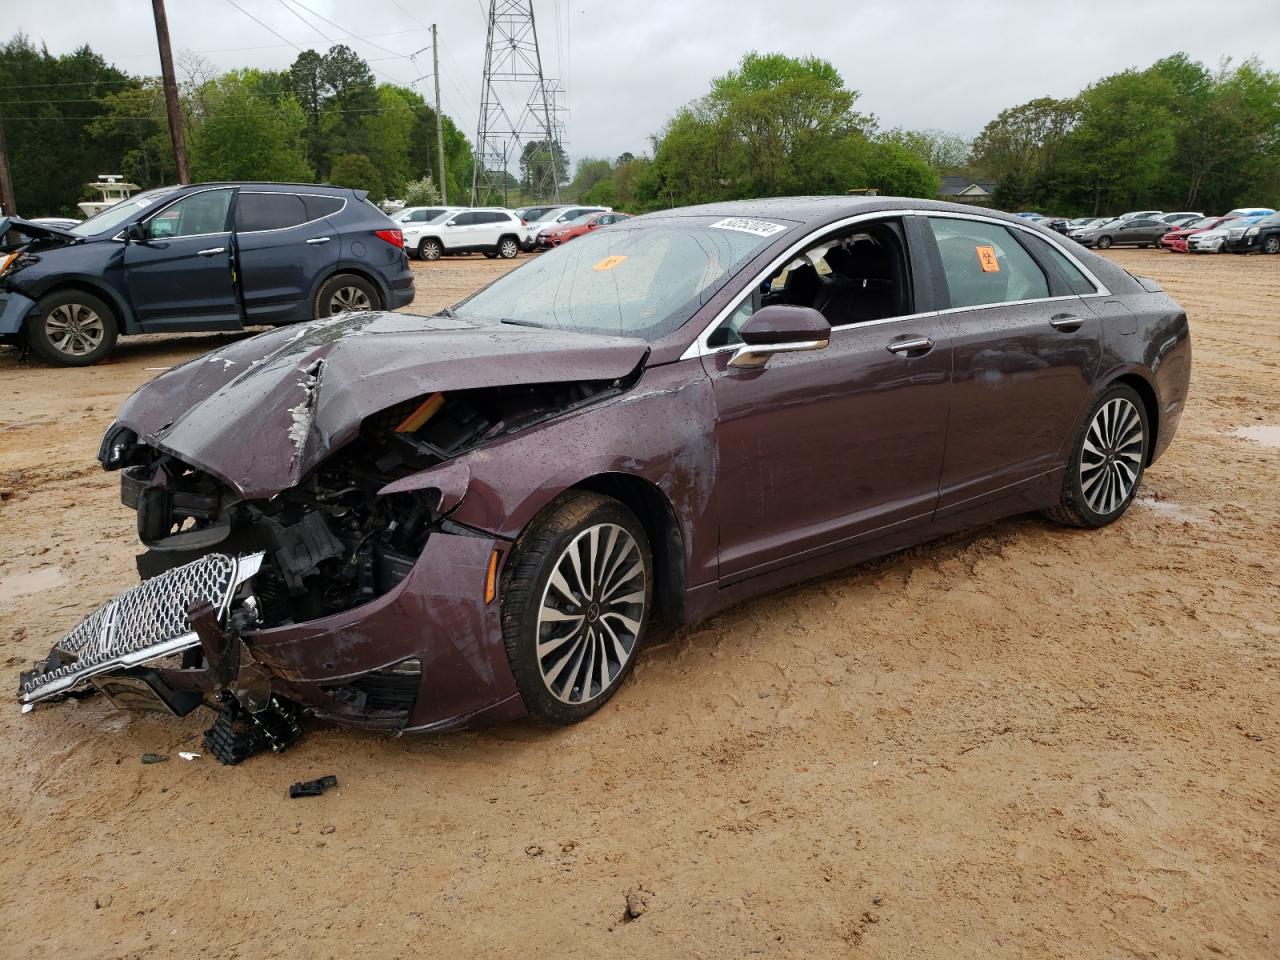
x: 284, y: 249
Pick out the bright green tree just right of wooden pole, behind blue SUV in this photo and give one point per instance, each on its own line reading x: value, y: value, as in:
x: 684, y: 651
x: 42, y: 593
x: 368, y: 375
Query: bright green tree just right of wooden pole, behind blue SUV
x: 248, y: 138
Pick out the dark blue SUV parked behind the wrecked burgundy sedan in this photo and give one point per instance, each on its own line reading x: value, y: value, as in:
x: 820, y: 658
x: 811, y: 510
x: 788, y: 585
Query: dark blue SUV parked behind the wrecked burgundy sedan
x: 211, y: 257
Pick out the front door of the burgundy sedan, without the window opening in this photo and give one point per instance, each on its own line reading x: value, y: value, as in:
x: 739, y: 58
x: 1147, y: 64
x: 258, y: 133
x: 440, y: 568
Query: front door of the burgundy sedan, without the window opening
x: 819, y: 451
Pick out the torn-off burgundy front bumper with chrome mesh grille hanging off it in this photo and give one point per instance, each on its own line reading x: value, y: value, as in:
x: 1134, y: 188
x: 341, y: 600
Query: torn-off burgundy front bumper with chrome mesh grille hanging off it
x: 428, y: 655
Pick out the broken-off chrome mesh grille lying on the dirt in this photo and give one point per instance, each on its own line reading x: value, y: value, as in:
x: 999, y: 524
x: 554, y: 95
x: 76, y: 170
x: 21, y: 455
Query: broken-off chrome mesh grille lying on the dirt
x: 144, y: 624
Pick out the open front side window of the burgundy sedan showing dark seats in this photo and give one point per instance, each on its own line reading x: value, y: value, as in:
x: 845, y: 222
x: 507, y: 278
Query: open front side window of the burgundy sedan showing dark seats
x: 853, y: 277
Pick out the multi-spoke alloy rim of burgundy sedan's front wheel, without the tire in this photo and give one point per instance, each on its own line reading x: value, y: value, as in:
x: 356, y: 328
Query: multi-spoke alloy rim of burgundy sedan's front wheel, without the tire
x: 591, y: 614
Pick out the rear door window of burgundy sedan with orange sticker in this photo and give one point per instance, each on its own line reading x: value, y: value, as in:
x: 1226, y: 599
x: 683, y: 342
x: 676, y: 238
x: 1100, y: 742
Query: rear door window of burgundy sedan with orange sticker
x: 984, y: 264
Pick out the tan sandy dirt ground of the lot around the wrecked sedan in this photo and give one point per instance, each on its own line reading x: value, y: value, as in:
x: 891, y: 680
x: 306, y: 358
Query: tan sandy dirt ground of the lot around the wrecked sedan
x: 1018, y: 743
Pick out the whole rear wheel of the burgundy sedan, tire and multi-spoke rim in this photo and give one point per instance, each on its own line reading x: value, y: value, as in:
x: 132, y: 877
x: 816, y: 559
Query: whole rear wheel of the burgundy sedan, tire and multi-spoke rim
x: 1108, y: 461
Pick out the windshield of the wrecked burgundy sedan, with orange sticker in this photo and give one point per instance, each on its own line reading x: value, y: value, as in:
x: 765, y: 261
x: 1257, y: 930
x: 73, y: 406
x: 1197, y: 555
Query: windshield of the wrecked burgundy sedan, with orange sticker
x: 644, y: 278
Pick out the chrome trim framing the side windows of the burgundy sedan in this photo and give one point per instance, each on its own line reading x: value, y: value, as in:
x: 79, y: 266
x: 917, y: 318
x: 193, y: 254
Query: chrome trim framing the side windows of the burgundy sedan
x: 700, y: 348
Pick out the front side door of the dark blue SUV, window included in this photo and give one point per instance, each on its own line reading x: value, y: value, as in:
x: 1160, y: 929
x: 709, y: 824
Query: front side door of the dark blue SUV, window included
x: 180, y: 273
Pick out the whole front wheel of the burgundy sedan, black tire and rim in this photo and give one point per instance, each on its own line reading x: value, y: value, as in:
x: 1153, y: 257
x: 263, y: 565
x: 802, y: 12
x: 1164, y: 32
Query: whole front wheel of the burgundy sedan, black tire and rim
x: 577, y: 595
